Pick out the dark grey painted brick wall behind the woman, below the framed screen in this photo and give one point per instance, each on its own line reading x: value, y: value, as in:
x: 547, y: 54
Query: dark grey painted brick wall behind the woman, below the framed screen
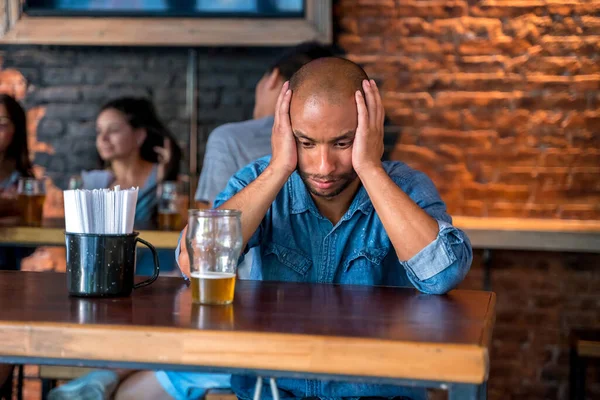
x: 68, y: 85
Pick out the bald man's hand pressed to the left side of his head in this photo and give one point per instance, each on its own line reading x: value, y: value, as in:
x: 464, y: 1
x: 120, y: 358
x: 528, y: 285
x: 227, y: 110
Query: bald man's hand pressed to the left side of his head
x: 283, y: 142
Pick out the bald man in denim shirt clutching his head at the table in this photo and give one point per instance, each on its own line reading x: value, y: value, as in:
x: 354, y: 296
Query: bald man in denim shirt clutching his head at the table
x: 324, y: 208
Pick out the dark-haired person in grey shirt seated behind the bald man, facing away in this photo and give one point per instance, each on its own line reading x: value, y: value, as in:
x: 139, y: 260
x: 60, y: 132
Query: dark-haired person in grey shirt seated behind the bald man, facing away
x: 231, y: 147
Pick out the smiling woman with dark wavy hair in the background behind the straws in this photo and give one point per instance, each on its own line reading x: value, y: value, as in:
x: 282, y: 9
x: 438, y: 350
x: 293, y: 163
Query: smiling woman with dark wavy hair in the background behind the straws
x: 137, y: 150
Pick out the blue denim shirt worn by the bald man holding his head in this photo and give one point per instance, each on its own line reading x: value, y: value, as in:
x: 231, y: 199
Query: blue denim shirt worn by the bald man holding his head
x: 298, y: 244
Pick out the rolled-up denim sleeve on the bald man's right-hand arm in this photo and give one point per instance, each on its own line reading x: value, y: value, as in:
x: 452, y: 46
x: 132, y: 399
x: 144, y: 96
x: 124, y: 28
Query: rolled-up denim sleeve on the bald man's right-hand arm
x: 443, y: 263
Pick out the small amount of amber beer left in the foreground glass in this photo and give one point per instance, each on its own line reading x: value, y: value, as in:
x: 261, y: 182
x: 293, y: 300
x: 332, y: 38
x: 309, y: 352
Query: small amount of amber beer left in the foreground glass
x: 213, y: 287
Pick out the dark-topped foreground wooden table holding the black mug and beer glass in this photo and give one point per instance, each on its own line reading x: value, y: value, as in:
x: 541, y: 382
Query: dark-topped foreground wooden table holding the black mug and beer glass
x: 349, y: 333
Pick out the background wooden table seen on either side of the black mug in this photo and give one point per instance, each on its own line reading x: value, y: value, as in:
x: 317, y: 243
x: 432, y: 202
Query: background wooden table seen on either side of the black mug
x: 52, y: 233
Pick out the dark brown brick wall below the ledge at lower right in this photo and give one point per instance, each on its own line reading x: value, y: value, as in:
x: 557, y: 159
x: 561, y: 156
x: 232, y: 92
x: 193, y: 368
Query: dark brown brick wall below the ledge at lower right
x: 541, y: 297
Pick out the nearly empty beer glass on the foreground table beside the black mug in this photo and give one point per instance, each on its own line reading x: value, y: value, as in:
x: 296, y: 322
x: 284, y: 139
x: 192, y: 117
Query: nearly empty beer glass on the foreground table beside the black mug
x: 214, y: 242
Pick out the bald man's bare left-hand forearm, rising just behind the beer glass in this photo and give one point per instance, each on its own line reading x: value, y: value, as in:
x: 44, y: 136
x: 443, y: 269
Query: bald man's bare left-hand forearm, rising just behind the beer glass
x: 256, y: 198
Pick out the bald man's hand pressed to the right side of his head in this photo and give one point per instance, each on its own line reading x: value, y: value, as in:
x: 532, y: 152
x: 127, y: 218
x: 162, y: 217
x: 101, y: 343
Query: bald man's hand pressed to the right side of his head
x: 368, y: 142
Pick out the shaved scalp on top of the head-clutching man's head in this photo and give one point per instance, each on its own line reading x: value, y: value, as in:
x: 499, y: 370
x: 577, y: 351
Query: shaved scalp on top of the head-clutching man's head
x: 331, y: 79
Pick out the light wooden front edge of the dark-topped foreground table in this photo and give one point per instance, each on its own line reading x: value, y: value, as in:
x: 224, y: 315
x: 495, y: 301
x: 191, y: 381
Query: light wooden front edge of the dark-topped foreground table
x: 314, y: 354
